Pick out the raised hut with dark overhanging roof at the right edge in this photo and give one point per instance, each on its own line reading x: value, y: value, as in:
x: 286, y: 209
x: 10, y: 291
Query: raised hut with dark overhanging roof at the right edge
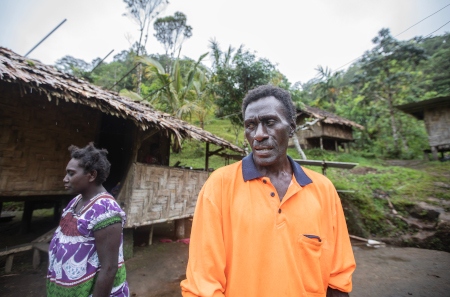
x: 435, y: 113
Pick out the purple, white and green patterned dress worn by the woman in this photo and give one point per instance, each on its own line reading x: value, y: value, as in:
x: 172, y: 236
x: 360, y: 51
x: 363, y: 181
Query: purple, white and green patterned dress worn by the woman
x: 73, y: 259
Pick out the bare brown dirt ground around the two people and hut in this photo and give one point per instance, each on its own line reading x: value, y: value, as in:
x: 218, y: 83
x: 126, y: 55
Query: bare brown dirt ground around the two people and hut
x: 156, y: 270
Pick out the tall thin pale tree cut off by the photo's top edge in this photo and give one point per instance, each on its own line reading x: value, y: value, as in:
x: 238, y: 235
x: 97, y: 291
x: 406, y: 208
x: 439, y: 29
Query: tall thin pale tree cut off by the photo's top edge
x: 143, y: 12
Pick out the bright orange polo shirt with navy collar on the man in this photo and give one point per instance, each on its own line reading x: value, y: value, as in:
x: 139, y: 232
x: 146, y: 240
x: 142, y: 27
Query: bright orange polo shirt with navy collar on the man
x: 245, y: 242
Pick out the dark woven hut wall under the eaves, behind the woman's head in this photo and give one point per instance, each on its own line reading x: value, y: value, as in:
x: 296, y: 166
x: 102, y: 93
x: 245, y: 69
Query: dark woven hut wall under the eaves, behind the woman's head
x: 34, y: 136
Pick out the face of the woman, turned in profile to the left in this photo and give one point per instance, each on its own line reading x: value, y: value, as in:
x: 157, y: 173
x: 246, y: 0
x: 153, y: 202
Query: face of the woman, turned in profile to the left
x: 76, y: 180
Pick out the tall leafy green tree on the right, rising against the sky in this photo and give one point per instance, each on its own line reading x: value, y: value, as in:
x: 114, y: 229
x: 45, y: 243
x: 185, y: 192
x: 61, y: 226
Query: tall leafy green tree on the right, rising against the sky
x: 386, y: 74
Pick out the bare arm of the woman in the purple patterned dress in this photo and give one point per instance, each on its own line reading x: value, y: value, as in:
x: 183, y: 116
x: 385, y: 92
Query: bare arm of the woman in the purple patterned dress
x: 107, y: 242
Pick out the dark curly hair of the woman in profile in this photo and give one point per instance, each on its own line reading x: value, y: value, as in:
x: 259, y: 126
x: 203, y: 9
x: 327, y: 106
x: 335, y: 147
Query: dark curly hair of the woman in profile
x: 91, y: 158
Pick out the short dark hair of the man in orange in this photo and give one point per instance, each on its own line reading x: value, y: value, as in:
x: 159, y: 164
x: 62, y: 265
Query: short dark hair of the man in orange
x: 267, y: 91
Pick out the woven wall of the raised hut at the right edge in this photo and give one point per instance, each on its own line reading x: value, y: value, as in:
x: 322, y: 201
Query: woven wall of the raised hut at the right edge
x: 437, y: 123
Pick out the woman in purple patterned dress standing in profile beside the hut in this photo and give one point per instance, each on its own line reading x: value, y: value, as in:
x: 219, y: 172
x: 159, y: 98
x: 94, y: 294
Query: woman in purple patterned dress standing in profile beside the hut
x: 86, y: 252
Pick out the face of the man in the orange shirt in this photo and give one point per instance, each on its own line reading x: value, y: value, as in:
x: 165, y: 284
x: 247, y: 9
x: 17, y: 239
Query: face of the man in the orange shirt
x: 267, y: 130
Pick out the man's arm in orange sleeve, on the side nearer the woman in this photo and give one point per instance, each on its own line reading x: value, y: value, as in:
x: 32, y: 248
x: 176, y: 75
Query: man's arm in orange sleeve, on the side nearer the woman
x: 205, y: 272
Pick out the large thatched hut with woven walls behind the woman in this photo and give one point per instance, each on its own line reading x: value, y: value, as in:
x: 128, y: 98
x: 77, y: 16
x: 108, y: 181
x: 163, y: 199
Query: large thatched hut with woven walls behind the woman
x: 43, y: 111
